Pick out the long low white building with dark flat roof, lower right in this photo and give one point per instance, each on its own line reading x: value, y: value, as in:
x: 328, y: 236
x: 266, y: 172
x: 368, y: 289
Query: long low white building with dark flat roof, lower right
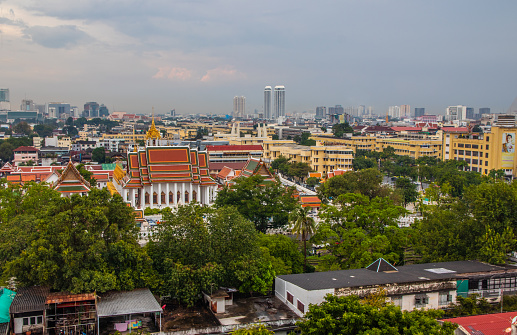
x: 428, y: 286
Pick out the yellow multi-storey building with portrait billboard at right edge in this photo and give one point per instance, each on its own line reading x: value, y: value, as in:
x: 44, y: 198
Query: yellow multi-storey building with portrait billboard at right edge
x: 483, y: 152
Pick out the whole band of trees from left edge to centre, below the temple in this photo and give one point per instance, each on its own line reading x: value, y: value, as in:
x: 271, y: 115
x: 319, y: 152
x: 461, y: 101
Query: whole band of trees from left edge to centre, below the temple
x: 90, y: 243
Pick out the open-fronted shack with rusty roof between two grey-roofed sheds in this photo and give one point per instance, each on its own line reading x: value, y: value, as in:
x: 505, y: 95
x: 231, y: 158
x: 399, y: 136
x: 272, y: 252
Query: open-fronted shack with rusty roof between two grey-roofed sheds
x: 71, y: 314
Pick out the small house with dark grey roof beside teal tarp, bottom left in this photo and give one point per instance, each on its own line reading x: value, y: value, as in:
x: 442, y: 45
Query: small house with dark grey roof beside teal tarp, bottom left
x: 28, y: 309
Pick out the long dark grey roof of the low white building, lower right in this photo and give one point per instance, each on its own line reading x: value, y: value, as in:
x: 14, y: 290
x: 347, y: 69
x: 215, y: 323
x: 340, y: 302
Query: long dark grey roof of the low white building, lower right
x: 405, y: 274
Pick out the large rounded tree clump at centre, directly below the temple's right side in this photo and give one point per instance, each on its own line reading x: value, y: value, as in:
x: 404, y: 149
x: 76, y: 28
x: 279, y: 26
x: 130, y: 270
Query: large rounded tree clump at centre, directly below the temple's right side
x: 199, y: 248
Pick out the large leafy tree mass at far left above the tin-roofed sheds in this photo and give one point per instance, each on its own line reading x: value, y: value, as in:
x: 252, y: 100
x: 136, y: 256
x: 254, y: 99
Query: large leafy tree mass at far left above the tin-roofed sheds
x: 79, y: 244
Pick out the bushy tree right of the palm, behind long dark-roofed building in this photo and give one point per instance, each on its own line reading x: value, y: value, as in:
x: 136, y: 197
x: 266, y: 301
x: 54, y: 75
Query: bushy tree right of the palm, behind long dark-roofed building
x: 357, y: 231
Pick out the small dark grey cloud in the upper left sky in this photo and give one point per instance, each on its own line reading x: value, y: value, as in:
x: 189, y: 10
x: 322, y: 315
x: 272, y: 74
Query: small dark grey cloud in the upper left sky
x: 57, y: 37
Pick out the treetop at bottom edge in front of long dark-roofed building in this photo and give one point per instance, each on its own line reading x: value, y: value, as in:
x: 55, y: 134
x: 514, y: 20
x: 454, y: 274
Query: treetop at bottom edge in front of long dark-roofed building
x: 347, y: 315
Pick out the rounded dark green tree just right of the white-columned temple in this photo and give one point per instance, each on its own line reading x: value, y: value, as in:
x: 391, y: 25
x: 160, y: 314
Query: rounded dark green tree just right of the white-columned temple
x: 265, y: 204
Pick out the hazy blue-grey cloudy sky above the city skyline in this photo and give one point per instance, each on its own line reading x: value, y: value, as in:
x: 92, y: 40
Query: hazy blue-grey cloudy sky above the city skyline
x: 196, y: 55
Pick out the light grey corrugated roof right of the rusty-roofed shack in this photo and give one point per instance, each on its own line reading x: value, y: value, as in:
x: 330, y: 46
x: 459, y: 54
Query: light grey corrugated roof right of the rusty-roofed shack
x: 127, y: 302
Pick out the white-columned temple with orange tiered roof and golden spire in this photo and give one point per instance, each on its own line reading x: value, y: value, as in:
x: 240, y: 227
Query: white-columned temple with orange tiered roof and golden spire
x: 159, y: 175
